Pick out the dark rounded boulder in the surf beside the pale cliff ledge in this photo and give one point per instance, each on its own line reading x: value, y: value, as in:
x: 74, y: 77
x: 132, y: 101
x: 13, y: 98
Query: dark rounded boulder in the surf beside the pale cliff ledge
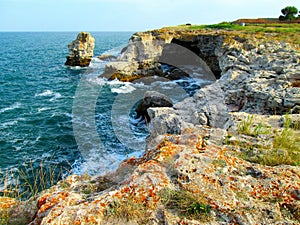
x: 152, y: 99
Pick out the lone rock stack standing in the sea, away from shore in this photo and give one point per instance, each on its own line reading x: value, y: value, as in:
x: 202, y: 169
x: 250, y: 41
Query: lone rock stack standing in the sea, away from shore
x: 81, y: 50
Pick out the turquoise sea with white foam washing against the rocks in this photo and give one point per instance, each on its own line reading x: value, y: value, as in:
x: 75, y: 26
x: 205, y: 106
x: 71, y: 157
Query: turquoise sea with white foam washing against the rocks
x: 69, y: 117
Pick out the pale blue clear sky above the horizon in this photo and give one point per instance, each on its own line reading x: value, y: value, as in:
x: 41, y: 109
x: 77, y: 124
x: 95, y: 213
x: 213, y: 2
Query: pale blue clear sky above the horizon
x: 129, y: 15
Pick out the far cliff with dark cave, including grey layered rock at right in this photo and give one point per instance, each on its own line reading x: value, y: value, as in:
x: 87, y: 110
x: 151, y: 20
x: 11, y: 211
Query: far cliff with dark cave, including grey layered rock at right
x: 256, y: 75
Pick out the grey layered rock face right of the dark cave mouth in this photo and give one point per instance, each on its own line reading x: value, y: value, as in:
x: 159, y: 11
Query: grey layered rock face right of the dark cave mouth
x: 261, y: 79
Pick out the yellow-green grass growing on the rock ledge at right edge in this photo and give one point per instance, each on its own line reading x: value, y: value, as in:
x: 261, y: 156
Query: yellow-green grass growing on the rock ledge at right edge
x: 285, y: 149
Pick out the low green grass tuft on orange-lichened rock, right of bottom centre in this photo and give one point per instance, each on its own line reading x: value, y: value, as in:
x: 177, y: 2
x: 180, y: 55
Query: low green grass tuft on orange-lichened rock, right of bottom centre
x: 186, y: 204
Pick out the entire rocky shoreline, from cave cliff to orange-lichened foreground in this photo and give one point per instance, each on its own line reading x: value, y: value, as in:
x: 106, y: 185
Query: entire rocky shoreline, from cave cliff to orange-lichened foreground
x: 231, y: 149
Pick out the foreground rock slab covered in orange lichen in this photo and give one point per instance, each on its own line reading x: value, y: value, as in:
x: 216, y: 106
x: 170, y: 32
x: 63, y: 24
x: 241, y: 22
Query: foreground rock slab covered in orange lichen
x: 233, y: 190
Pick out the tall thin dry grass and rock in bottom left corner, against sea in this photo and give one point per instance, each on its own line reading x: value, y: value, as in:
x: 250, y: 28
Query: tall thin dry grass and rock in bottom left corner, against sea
x: 20, y: 187
